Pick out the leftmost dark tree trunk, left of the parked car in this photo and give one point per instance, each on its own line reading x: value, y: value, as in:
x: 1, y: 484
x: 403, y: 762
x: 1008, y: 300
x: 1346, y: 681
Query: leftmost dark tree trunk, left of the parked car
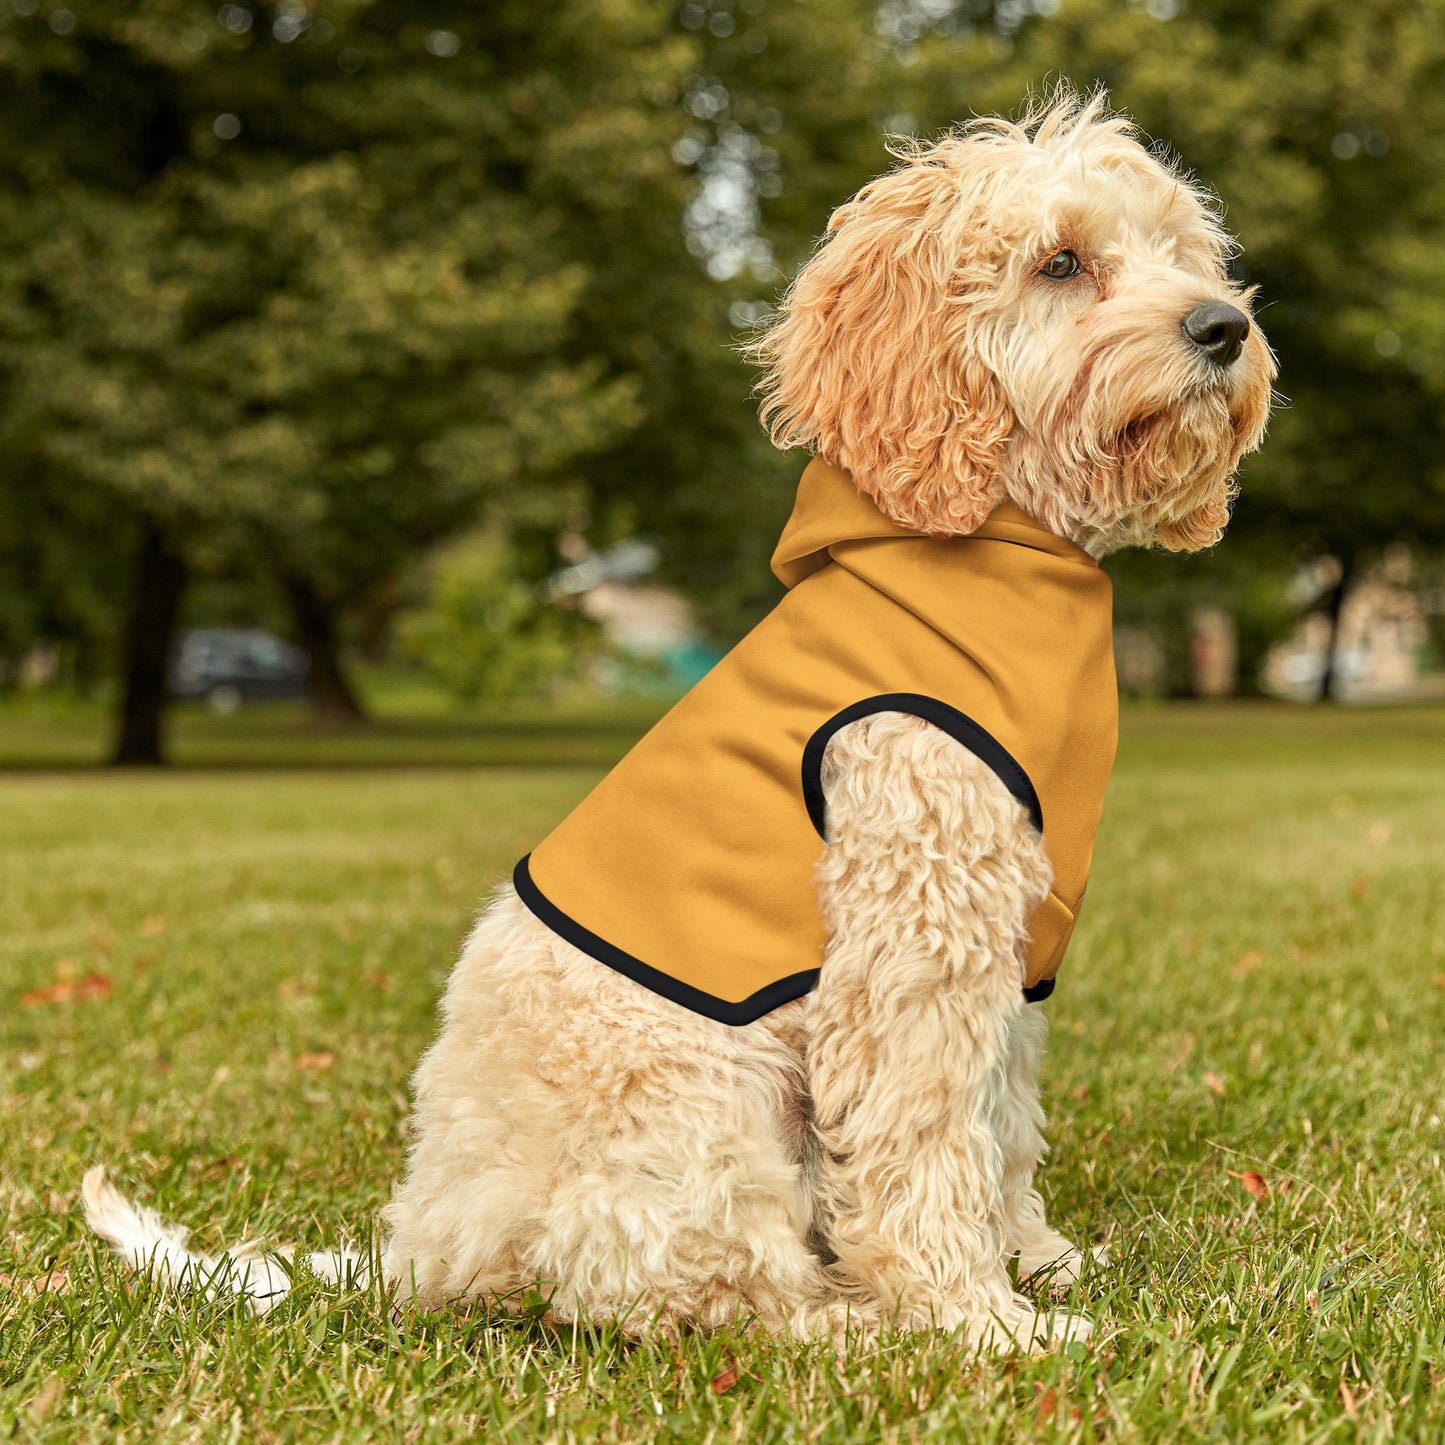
x: 150, y: 635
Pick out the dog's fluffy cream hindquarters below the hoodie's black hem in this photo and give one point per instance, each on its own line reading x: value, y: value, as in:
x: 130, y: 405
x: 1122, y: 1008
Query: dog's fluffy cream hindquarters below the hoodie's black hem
x: 580, y: 1135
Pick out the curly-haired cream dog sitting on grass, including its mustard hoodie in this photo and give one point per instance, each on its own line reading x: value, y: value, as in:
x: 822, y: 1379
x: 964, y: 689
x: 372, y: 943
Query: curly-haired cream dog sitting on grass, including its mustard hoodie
x: 694, y: 1066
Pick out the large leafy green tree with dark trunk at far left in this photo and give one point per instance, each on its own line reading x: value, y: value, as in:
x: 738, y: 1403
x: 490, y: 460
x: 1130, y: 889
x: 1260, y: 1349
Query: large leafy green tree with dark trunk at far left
x: 306, y: 288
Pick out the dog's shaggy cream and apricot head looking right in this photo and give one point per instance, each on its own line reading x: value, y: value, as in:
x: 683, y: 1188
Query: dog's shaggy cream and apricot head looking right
x: 1037, y: 311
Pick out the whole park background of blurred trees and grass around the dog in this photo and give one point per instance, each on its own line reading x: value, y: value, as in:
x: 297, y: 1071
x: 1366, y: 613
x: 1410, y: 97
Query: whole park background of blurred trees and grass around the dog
x: 408, y: 335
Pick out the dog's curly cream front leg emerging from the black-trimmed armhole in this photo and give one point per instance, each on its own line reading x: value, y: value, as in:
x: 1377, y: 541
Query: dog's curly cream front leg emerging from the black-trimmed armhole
x: 927, y: 887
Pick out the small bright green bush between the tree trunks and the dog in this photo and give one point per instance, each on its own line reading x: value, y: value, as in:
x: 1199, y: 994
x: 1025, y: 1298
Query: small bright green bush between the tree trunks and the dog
x: 486, y: 634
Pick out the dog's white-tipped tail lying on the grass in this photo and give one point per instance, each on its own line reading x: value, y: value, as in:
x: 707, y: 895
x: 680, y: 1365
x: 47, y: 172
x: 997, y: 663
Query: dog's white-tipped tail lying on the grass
x: 147, y: 1243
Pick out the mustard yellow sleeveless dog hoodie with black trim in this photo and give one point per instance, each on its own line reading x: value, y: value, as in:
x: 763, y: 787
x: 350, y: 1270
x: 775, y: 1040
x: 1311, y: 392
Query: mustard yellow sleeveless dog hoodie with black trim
x: 690, y: 866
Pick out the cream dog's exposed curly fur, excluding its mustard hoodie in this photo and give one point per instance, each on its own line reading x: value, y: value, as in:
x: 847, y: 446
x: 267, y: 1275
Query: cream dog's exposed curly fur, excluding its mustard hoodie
x: 1037, y: 313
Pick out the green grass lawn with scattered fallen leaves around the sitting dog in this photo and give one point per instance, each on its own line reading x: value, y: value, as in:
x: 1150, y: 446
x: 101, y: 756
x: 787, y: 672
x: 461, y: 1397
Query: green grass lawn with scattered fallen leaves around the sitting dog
x: 217, y: 980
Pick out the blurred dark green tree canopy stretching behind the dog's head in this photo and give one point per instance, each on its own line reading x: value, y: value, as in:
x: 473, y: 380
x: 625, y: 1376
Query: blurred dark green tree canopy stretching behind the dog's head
x: 304, y: 290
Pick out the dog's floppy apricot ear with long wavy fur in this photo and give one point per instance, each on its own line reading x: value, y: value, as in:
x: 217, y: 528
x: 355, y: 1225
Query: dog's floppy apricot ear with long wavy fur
x: 872, y: 362
